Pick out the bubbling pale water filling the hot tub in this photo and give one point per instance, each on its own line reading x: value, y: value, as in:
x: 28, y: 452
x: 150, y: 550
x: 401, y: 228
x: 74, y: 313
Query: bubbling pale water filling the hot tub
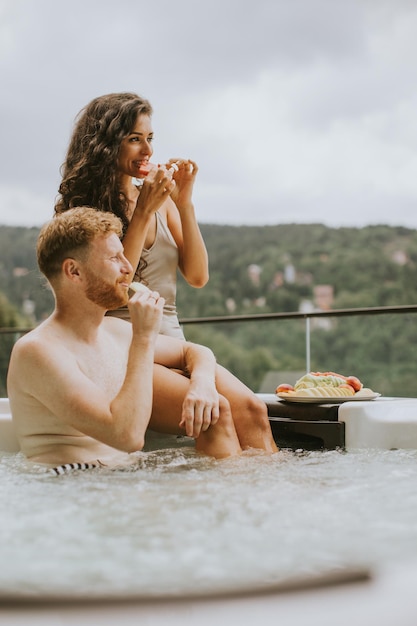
x: 178, y: 521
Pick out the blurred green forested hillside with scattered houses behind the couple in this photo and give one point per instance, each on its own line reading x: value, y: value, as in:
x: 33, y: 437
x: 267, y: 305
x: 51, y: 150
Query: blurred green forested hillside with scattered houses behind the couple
x: 268, y: 269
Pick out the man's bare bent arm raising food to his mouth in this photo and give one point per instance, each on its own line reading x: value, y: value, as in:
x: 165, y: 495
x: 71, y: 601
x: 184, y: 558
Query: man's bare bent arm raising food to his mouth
x: 44, y: 372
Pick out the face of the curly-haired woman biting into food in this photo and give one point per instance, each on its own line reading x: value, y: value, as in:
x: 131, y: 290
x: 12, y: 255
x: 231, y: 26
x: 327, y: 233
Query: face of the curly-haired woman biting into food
x: 136, y: 148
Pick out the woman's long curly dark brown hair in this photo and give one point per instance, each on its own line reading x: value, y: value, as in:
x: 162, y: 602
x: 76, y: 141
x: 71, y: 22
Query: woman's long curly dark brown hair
x: 89, y: 175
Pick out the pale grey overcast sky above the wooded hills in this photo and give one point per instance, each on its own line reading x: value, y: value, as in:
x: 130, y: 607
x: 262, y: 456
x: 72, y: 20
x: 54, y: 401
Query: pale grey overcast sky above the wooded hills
x: 296, y: 111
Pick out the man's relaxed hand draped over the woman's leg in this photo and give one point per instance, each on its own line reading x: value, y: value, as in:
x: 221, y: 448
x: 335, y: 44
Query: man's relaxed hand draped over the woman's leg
x: 200, y: 408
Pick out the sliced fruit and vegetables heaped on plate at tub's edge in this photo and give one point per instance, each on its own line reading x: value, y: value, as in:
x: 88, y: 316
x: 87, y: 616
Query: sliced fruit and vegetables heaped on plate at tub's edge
x: 324, y: 385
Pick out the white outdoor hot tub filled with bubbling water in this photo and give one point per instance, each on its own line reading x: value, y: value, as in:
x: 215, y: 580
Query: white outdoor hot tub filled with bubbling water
x: 325, y: 534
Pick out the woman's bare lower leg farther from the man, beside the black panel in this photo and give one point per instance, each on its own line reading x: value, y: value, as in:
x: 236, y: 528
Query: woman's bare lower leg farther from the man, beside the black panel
x: 250, y: 415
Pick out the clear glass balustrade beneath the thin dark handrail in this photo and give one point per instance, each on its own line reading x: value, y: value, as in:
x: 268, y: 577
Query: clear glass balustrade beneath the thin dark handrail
x: 377, y: 345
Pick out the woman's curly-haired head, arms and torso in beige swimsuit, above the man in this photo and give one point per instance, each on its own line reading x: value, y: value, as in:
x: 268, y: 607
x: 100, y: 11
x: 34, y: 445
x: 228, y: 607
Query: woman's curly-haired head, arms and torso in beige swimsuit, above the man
x: 107, y: 166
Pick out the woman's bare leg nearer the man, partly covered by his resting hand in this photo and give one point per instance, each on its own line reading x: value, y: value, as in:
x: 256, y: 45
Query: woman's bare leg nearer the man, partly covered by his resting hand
x: 169, y: 390
